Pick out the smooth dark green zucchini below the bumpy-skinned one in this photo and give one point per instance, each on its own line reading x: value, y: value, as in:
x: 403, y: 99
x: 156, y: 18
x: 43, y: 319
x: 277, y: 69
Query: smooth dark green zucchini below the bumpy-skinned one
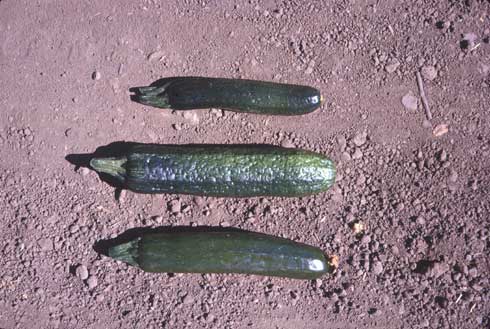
x: 223, y: 252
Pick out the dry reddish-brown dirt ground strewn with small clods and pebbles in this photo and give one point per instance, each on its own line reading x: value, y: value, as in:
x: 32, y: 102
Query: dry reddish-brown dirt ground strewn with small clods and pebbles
x: 419, y: 190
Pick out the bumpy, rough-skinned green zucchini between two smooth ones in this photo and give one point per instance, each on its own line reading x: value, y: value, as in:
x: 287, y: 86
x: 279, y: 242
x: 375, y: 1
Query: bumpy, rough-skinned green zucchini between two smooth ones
x: 220, y: 170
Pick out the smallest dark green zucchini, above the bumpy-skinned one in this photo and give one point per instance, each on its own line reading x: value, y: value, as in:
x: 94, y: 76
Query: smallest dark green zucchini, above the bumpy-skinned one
x: 184, y: 93
